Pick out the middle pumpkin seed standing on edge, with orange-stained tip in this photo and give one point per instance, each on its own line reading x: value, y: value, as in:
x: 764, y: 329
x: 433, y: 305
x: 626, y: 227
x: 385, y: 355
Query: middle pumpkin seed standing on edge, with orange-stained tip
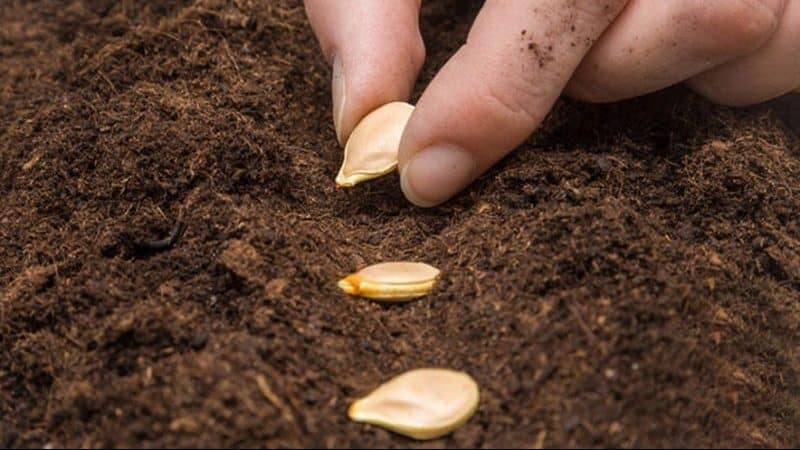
x: 391, y: 281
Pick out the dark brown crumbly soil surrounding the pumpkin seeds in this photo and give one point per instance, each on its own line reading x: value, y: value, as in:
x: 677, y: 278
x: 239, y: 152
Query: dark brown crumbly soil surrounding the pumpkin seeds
x: 171, y: 238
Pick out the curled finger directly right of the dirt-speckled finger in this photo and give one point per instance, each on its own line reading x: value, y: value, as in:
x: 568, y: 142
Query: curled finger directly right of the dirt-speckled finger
x: 652, y: 45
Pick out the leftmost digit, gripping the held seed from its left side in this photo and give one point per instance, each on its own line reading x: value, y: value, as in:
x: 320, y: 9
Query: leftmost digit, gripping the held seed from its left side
x: 376, y: 51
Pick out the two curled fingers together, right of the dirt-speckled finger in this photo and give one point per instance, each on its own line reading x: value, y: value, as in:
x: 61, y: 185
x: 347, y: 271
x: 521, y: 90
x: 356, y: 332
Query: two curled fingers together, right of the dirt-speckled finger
x: 736, y: 53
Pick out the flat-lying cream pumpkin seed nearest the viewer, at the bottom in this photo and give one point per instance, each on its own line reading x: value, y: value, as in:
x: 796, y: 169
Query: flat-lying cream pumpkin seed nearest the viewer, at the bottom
x: 422, y: 403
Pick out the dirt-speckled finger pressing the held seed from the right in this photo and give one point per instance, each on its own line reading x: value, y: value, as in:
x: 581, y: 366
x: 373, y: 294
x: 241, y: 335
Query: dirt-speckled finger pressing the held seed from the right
x: 495, y: 90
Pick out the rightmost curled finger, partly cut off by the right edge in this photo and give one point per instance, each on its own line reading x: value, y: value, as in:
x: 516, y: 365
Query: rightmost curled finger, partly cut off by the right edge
x: 770, y: 72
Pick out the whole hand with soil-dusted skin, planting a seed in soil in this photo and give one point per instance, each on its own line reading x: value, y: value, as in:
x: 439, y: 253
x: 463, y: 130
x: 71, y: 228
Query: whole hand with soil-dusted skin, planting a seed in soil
x: 521, y: 55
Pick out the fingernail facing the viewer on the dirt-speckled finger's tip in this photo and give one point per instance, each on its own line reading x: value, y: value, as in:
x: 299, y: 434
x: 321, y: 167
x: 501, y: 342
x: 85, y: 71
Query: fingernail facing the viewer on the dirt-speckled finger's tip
x: 436, y: 174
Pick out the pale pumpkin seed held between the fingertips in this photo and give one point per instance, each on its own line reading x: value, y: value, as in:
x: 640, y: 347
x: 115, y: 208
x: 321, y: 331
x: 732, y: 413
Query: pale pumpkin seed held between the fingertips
x: 371, y: 150
